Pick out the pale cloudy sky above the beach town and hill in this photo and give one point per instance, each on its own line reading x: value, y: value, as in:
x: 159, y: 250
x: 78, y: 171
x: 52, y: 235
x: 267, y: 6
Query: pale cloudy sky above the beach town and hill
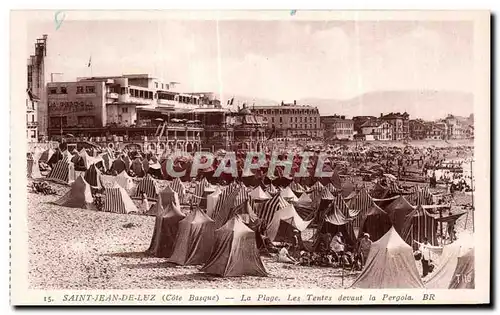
x: 268, y: 59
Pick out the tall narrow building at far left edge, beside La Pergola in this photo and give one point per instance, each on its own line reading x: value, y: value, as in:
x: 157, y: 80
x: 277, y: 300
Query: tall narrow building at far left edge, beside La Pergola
x: 36, y: 103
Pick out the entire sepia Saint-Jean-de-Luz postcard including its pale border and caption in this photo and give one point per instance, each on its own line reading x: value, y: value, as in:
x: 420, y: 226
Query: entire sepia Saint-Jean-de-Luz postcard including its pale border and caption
x: 250, y: 157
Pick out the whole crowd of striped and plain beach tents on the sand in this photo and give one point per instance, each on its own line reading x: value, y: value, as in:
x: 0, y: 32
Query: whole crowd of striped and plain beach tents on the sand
x: 222, y: 231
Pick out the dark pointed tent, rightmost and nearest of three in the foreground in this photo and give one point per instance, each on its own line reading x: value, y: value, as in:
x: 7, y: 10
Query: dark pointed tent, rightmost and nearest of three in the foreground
x: 235, y: 252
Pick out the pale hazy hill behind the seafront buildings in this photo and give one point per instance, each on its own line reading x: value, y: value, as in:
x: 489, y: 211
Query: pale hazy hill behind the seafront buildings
x: 425, y: 104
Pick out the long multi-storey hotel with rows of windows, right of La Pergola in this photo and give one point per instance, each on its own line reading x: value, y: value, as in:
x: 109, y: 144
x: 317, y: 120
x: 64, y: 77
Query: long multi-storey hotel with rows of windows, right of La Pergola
x: 292, y: 120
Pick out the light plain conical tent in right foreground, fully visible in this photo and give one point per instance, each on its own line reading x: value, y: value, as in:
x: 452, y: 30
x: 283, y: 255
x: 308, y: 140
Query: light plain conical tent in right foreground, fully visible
x: 390, y: 265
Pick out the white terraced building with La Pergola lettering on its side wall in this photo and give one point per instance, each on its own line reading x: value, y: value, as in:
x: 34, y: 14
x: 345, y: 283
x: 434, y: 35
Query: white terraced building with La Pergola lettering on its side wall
x: 98, y: 102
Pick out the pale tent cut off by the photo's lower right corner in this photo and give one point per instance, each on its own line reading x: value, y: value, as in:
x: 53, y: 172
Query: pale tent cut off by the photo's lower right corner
x: 456, y: 266
